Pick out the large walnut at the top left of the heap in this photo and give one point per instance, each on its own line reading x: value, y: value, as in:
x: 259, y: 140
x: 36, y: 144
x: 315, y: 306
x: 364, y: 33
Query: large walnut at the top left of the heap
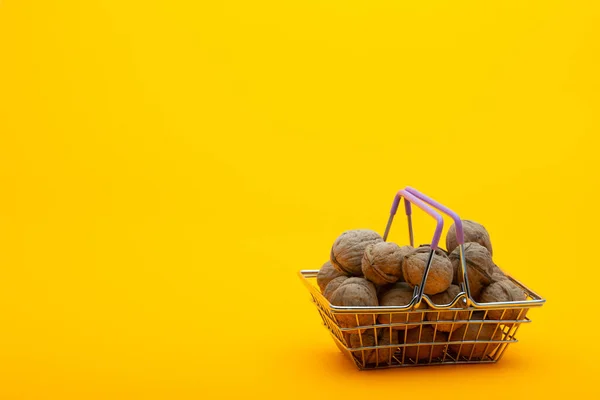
x: 348, y: 248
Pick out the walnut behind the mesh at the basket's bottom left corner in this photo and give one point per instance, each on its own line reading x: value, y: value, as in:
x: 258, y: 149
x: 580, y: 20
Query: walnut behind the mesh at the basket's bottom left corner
x: 367, y: 339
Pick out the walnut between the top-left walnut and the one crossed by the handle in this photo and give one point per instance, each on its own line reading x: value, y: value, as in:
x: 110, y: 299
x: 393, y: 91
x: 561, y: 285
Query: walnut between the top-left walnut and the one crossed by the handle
x: 382, y: 263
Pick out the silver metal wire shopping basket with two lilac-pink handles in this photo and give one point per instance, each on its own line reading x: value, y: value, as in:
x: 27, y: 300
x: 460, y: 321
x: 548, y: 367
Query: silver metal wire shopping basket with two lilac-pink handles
x: 410, y: 336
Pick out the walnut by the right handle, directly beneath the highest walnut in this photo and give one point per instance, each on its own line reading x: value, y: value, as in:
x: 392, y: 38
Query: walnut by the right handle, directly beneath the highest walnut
x: 480, y: 267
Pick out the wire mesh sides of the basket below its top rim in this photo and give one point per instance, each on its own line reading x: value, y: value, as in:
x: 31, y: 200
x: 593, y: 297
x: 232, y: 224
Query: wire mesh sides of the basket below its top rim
x: 424, y: 336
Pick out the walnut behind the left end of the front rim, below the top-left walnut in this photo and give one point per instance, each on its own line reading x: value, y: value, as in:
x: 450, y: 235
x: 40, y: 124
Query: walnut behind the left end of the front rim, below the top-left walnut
x: 355, y: 292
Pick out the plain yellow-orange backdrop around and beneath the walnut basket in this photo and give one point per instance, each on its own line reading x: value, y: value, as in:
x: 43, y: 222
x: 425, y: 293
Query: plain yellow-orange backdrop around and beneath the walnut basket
x: 166, y: 167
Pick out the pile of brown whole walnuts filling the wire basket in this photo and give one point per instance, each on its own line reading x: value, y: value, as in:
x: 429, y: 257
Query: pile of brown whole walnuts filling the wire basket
x: 363, y: 270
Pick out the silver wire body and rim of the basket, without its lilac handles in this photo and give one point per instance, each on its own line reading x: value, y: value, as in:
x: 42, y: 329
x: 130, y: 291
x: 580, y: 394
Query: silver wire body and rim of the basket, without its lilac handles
x: 410, y: 349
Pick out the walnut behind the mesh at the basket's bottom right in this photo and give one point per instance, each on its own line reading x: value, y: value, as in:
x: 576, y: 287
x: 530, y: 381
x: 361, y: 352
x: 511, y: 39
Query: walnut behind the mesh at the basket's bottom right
x: 479, y: 350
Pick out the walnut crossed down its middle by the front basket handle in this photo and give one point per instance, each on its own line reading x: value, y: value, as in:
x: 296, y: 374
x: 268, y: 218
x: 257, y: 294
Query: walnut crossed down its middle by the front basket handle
x: 440, y: 273
